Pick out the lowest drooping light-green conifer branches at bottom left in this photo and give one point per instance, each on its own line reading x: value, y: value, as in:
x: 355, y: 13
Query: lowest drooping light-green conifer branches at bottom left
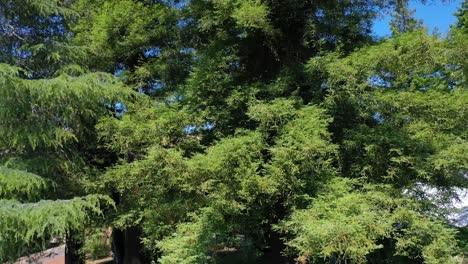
x: 28, y: 224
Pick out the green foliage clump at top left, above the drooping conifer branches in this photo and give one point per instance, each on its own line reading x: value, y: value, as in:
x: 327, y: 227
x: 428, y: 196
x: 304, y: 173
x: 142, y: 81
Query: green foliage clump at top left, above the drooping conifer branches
x: 116, y: 35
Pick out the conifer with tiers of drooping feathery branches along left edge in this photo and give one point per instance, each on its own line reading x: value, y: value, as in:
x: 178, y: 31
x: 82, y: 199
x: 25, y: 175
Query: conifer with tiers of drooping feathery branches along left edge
x: 42, y: 137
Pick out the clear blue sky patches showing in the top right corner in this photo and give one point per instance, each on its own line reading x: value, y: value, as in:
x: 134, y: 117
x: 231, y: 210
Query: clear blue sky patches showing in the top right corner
x: 438, y: 14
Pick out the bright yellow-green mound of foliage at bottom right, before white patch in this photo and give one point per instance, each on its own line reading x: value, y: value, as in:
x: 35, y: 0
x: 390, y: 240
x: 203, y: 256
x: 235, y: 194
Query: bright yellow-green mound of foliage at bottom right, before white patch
x: 348, y: 222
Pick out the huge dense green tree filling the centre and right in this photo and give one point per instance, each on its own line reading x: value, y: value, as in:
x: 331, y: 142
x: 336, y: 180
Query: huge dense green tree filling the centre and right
x: 248, y: 110
